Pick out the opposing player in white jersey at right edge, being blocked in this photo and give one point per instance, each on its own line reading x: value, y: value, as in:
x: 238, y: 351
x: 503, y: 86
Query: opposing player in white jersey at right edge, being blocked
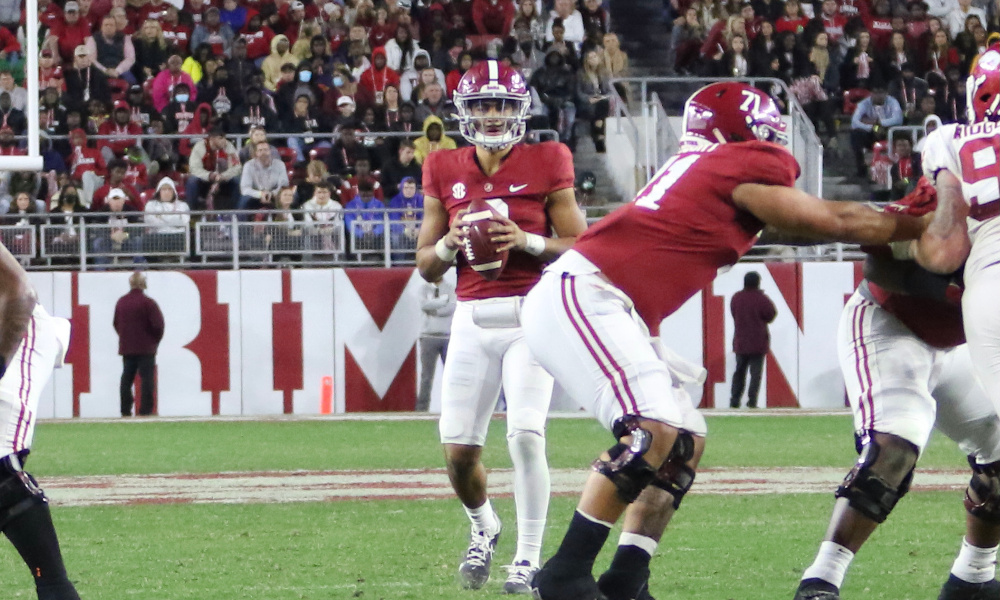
x: 964, y: 162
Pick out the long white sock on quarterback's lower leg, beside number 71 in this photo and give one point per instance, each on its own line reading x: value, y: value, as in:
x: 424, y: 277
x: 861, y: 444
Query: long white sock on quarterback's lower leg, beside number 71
x: 531, y: 493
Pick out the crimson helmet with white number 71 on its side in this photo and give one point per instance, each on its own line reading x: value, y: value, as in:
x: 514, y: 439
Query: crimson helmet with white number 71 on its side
x: 733, y: 112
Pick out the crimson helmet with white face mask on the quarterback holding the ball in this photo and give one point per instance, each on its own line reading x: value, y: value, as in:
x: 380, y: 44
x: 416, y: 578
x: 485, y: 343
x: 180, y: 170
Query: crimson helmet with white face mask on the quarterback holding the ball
x: 489, y: 84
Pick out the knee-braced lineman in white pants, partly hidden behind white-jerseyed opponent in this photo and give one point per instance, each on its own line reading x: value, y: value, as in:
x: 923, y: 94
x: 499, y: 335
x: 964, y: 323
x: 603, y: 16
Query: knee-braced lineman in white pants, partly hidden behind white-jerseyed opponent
x: 905, y: 362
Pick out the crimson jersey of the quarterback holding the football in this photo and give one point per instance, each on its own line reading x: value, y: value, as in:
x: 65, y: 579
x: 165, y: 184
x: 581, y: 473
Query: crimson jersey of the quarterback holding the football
x: 527, y: 176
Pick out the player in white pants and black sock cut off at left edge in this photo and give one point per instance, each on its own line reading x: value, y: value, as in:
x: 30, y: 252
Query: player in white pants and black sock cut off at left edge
x: 32, y: 344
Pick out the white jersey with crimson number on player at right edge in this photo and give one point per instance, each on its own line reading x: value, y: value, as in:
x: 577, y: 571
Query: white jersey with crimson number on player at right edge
x: 972, y: 154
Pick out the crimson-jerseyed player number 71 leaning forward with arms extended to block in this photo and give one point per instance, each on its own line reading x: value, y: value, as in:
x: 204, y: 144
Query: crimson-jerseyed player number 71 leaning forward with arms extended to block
x: 590, y: 319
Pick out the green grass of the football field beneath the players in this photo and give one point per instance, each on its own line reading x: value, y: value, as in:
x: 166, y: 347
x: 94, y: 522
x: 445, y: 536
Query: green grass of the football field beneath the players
x: 729, y: 546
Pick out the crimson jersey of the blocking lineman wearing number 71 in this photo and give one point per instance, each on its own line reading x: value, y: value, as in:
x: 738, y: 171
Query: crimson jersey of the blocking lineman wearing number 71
x: 683, y: 226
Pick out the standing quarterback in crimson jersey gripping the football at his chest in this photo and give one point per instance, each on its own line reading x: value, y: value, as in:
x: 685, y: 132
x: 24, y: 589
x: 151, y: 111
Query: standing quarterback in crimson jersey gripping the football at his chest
x: 532, y: 185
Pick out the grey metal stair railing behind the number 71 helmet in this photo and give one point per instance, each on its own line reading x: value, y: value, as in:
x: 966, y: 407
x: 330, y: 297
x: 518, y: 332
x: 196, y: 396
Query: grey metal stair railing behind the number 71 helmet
x: 668, y: 94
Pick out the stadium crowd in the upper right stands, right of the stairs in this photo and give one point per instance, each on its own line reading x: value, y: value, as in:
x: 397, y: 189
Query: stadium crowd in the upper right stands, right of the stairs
x: 879, y: 63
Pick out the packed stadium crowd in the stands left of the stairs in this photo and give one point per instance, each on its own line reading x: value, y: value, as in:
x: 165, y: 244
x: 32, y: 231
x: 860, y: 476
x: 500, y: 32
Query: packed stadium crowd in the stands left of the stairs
x: 298, y: 81
